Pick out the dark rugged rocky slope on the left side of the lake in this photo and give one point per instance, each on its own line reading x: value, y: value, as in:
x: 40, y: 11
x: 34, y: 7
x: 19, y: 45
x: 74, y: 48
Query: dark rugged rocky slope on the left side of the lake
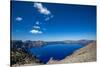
x: 20, y: 55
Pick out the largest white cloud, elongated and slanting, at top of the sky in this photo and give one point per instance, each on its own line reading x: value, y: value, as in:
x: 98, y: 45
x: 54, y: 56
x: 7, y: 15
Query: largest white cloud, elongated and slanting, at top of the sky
x: 42, y: 9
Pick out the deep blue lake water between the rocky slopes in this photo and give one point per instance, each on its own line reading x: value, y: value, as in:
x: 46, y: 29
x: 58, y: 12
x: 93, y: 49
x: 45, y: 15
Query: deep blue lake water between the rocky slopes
x: 56, y: 51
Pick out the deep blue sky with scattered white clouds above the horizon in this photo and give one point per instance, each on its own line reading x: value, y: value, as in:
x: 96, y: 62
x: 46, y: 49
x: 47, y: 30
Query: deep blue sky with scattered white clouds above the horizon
x: 52, y: 21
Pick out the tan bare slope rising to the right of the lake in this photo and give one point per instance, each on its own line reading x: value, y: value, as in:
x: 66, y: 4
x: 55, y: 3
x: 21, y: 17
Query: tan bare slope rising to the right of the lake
x: 85, y: 54
